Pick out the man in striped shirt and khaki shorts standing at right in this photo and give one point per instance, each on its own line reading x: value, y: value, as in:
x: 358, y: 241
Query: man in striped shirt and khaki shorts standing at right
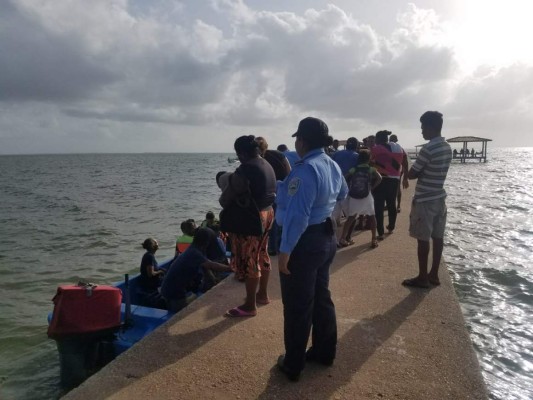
x: 428, y: 210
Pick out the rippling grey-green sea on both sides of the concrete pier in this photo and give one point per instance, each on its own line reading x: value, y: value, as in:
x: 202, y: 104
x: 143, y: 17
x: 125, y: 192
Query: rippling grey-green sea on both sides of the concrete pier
x: 66, y: 218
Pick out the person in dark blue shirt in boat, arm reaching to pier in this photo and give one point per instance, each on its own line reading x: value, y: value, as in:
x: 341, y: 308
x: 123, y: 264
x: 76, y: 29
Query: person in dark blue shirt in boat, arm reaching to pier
x: 187, y: 271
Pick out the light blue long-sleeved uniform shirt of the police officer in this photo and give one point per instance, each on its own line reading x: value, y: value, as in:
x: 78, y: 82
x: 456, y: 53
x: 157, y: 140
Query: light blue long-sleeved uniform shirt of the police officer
x: 307, y: 196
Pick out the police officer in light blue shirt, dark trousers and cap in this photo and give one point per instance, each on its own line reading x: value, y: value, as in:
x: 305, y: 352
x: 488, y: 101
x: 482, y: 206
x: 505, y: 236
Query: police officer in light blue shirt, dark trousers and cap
x: 305, y: 200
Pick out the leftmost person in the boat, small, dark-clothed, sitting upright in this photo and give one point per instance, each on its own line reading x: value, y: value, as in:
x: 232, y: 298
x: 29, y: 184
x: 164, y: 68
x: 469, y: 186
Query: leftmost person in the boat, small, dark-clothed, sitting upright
x: 151, y: 275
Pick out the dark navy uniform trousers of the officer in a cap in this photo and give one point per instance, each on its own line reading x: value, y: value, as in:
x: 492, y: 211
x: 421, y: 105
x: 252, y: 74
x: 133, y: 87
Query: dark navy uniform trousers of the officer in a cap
x: 306, y: 298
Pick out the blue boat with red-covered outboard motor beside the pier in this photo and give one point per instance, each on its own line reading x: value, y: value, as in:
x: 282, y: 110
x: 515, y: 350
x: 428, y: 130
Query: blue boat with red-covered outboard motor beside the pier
x: 83, y: 353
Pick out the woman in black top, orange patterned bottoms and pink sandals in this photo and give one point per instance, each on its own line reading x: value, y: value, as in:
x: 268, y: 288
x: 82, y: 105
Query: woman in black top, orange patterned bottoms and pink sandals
x: 247, y: 216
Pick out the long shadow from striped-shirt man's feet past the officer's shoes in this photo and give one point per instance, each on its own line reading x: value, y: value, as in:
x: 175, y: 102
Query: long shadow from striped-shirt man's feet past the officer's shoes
x: 354, y: 348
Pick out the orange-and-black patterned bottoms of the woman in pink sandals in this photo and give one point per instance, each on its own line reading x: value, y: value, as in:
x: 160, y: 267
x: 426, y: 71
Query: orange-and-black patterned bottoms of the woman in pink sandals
x: 249, y: 253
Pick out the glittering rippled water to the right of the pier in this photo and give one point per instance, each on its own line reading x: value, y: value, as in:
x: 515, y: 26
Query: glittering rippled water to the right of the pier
x: 489, y: 248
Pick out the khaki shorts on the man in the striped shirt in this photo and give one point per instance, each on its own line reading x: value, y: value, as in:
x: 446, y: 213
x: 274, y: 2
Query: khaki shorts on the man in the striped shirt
x: 428, y: 219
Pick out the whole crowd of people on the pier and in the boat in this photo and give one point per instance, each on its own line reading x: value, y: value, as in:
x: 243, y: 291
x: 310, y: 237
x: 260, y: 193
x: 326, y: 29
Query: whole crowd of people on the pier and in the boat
x: 289, y: 204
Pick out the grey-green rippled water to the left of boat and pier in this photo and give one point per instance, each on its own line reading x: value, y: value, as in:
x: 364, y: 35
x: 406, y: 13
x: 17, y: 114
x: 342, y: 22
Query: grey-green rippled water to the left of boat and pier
x: 69, y: 217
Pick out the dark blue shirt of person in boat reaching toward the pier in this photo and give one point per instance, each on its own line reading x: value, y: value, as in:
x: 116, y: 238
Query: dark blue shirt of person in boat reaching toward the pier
x: 184, y: 274
